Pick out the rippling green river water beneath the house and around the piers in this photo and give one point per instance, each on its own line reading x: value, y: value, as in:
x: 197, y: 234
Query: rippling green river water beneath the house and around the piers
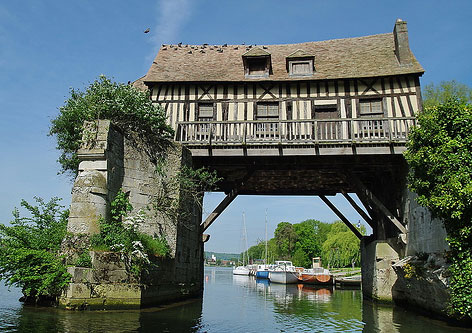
x: 230, y: 304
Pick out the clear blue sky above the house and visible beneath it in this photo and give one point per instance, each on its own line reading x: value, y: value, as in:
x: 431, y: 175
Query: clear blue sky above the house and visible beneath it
x: 46, y: 47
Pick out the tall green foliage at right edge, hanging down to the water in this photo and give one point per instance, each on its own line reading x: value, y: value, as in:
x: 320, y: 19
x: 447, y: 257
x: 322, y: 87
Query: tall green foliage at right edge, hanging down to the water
x: 440, y: 159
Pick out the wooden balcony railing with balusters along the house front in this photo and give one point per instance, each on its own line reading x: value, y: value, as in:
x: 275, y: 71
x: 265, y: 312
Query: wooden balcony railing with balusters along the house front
x: 322, y: 131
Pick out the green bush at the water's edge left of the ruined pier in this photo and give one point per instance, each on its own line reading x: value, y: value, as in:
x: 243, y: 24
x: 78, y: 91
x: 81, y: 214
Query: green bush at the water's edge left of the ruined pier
x: 29, y: 249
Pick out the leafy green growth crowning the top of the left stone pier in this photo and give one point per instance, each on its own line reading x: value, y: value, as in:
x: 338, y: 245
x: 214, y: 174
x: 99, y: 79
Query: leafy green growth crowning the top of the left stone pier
x: 126, y: 106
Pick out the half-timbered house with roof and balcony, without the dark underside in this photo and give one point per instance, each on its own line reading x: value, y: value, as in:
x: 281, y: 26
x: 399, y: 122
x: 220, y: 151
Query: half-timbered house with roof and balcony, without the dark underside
x: 328, y: 94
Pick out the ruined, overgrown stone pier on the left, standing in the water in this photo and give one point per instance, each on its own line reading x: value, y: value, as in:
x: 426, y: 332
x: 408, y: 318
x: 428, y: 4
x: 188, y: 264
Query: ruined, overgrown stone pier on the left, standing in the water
x: 110, y: 161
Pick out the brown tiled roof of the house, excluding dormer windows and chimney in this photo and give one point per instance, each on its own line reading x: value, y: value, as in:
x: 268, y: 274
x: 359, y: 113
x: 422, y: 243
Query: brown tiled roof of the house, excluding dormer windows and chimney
x: 334, y: 59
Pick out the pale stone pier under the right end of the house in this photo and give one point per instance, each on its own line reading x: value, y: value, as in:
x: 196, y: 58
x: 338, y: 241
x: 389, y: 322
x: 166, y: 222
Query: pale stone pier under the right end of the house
x: 414, y: 275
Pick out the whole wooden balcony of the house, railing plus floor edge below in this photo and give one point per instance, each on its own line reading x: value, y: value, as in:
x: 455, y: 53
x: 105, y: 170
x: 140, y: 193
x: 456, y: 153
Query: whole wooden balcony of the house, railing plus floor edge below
x: 296, y: 137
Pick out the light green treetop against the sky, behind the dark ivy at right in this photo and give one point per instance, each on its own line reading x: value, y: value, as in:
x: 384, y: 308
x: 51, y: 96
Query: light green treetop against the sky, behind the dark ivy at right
x: 437, y: 94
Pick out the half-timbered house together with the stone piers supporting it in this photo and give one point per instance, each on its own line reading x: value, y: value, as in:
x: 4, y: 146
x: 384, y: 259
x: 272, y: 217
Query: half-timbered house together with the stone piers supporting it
x: 314, y: 118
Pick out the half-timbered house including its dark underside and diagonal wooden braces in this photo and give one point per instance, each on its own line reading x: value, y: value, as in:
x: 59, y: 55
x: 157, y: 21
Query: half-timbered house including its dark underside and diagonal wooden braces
x: 314, y: 118
